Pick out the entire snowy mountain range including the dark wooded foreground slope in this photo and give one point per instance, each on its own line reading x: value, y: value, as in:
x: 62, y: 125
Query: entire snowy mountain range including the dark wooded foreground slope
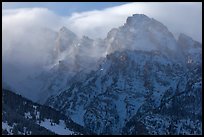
x: 138, y: 80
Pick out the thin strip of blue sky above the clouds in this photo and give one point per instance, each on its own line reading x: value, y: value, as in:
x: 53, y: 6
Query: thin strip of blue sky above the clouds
x: 63, y: 8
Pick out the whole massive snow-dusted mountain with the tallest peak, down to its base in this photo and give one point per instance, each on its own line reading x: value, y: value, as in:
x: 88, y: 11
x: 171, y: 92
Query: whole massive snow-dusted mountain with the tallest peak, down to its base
x: 146, y: 80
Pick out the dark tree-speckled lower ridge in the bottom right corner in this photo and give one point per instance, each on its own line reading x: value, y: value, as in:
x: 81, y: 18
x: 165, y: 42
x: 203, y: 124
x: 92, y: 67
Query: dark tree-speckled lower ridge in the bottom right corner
x: 179, y: 113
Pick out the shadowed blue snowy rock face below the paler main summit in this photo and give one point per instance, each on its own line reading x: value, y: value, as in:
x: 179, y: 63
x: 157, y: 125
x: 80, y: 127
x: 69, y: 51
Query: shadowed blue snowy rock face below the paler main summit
x: 117, y: 89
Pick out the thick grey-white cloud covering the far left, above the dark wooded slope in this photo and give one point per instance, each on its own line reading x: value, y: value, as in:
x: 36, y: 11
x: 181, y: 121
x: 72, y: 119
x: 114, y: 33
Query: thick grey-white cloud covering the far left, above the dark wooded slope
x: 25, y: 43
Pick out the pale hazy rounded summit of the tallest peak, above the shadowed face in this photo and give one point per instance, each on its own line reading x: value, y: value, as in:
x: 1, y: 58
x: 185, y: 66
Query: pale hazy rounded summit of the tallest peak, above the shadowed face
x: 142, y: 33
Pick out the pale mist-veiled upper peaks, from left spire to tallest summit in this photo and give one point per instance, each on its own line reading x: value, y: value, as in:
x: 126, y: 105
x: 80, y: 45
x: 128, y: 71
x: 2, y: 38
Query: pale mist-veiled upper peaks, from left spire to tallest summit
x: 74, y: 56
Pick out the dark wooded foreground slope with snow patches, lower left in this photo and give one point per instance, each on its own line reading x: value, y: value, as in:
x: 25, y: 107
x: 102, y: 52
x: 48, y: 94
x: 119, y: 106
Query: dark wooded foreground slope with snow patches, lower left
x: 21, y: 116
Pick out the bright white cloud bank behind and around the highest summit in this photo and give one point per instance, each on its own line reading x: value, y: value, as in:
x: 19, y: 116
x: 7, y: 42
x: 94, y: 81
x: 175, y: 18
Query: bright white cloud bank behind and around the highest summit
x: 178, y: 17
